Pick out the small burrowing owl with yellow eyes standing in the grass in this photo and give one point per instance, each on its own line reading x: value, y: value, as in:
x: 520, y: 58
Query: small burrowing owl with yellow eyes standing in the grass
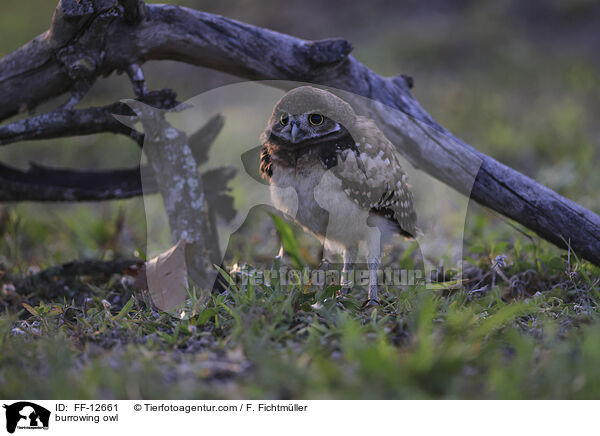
x: 346, y: 175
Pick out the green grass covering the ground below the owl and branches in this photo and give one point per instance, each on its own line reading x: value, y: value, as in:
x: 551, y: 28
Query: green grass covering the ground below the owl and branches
x: 298, y: 342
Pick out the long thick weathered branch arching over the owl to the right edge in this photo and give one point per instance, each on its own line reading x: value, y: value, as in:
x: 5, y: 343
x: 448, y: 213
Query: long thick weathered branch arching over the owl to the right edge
x: 90, y: 39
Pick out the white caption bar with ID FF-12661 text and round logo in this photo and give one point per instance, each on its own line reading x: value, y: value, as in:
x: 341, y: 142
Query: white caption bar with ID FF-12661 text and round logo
x: 22, y: 417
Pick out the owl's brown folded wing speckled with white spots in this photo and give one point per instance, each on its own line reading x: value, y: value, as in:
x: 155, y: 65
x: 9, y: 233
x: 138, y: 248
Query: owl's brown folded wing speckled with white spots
x: 377, y: 181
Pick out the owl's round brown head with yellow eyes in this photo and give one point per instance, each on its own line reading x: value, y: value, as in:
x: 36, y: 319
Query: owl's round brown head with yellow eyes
x: 308, y: 115
